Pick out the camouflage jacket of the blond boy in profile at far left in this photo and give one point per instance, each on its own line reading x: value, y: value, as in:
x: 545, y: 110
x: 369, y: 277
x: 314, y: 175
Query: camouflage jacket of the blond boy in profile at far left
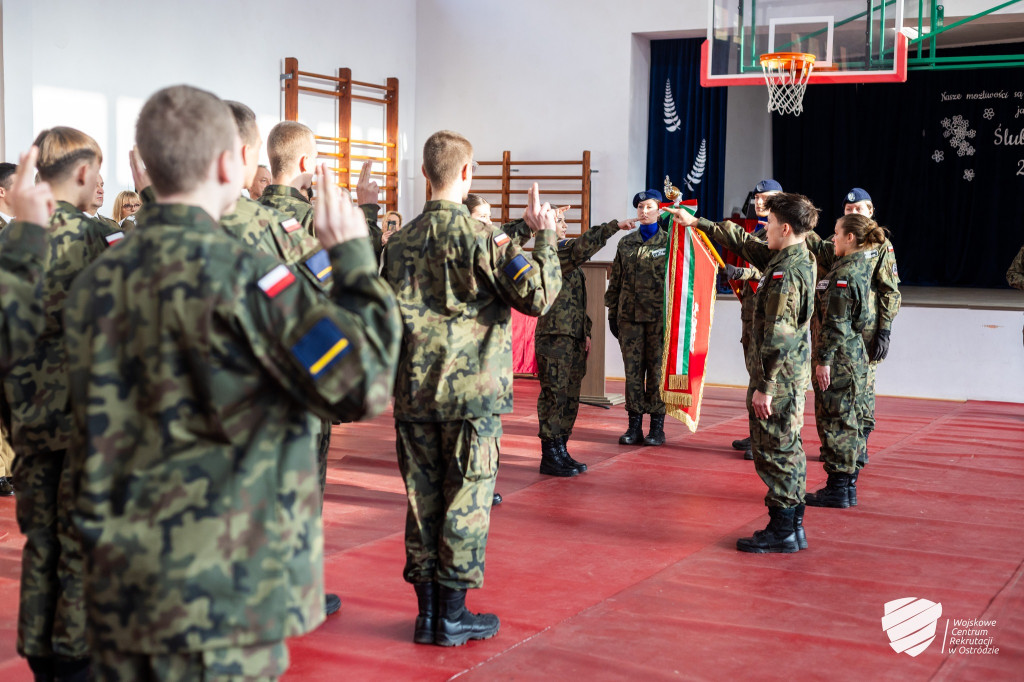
x: 36, y: 388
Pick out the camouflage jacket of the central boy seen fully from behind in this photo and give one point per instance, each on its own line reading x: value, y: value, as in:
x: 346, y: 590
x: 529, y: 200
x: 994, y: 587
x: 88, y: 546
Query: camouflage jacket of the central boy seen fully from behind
x: 457, y: 280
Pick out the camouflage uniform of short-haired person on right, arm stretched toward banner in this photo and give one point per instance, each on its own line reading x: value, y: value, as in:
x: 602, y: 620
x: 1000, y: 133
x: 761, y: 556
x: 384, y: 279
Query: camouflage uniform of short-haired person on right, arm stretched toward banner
x: 784, y: 307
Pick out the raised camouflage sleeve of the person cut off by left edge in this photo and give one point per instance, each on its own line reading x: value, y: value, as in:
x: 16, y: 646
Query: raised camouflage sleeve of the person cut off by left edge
x: 23, y: 261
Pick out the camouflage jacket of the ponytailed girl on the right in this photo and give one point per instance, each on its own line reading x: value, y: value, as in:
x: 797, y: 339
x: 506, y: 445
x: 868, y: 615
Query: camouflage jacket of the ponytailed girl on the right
x: 842, y: 309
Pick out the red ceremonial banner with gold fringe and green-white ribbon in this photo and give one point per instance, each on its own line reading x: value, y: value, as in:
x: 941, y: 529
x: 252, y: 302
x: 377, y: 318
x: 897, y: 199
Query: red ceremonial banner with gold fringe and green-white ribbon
x: 690, y: 309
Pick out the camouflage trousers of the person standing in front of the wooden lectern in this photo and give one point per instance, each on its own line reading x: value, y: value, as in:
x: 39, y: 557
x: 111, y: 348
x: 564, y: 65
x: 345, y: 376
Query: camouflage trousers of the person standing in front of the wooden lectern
x: 562, y: 364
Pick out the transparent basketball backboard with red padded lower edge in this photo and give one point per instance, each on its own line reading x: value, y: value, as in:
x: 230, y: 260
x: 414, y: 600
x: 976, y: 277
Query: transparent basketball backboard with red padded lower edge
x: 852, y: 40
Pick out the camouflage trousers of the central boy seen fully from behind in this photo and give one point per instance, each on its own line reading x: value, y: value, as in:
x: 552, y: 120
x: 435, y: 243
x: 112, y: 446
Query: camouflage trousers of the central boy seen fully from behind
x: 450, y: 470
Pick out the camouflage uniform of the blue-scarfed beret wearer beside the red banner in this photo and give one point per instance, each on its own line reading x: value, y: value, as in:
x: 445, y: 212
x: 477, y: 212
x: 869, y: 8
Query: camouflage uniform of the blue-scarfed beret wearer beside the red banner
x: 636, y: 302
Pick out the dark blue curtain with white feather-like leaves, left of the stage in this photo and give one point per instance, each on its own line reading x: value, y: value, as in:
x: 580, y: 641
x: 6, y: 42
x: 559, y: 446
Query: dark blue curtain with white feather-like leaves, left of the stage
x: 687, y: 126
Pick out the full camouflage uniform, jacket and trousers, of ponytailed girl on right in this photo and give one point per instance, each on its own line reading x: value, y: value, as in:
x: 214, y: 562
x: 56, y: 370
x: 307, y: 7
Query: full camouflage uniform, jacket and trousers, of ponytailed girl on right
x: 842, y: 311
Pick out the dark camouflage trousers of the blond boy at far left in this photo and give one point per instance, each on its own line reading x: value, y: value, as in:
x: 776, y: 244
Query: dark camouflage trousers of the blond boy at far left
x: 52, y: 613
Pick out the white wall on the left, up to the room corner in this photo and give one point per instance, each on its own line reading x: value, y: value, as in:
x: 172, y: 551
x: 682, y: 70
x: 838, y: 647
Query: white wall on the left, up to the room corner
x: 92, y: 64
